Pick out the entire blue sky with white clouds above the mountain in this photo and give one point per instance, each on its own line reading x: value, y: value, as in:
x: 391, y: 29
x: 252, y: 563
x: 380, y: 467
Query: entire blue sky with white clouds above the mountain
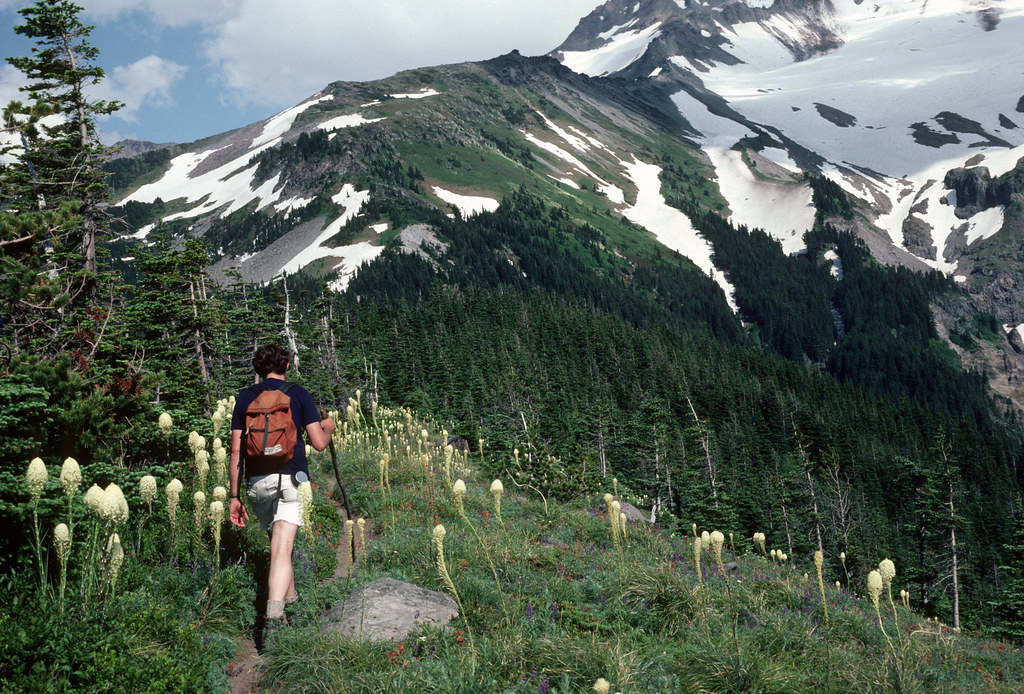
x: 189, y: 69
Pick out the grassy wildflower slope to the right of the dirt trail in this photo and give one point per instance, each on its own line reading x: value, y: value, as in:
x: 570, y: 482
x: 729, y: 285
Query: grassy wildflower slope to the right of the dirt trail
x: 567, y: 609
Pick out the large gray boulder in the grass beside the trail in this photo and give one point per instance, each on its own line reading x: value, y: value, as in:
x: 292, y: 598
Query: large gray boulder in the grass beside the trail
x: 389, y: 611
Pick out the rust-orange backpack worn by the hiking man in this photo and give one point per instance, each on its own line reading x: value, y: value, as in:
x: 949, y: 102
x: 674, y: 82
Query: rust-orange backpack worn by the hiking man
x: 271, y: 433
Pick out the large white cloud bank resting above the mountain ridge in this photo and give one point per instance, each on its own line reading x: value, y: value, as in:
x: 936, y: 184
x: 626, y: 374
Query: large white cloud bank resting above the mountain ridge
x: 275, y: 52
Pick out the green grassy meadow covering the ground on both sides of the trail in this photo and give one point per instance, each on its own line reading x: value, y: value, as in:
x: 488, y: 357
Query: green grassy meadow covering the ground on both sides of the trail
x: 551, y: 600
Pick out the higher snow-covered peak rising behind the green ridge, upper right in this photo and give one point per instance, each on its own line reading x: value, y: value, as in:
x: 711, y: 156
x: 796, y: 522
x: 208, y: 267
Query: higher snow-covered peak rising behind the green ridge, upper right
x: 885, y: 98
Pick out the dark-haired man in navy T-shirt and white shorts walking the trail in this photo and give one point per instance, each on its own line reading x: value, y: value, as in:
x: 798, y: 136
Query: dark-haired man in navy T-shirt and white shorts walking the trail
x: 273, y: 480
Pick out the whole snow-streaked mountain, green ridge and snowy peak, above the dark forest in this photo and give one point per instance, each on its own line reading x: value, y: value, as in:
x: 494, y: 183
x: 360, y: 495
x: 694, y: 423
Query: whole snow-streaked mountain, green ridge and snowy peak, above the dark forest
x: 915, y: 108
